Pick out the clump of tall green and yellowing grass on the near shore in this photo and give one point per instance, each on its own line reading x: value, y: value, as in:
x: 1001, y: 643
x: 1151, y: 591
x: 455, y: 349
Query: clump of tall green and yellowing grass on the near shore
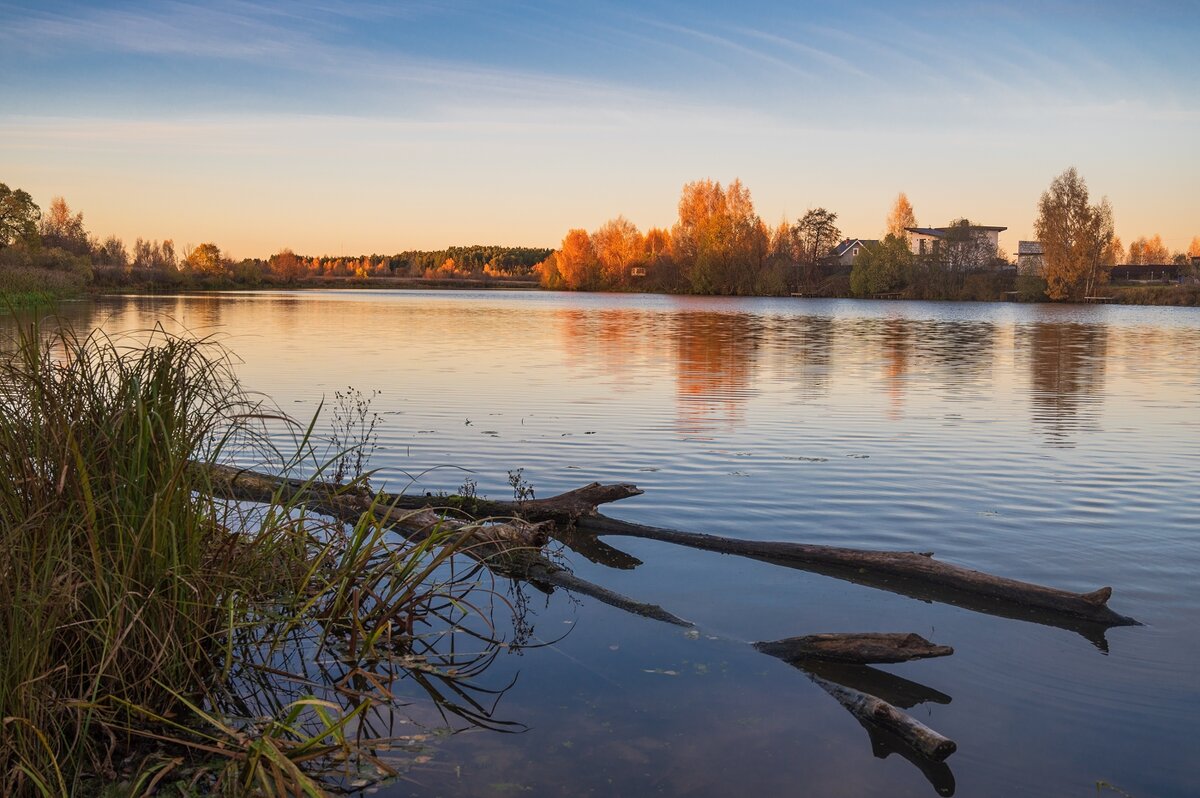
x: 145, y: 621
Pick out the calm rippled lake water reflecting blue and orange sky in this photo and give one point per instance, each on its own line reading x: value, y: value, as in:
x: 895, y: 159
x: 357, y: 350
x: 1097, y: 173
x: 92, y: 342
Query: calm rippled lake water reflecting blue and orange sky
x: 1053, y: 445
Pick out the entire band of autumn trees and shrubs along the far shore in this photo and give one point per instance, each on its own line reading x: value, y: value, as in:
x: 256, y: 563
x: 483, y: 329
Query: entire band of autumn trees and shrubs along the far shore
x: 719, y: 245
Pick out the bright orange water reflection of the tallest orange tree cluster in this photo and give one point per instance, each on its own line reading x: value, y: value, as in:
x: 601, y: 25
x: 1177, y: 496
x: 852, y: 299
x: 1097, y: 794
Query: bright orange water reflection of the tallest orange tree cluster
x: 715, y: 368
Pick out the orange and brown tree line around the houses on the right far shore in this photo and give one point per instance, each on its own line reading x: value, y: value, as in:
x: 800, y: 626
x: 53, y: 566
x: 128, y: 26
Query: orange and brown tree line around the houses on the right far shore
x: 719, y: 245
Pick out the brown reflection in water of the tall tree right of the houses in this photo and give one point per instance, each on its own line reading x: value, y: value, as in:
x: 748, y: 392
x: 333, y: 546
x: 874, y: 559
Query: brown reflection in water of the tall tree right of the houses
x: 1067, y: 364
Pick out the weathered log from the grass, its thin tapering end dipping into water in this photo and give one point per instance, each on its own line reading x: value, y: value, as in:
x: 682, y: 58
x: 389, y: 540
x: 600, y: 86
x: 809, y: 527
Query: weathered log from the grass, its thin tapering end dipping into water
x: 512, y: 550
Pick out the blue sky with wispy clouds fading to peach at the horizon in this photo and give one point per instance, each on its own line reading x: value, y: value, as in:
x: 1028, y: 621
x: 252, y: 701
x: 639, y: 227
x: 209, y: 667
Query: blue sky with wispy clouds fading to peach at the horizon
x: 375, y: 128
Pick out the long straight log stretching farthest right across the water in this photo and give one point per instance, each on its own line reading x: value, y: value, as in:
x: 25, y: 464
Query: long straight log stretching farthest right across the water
x: 911, y: 567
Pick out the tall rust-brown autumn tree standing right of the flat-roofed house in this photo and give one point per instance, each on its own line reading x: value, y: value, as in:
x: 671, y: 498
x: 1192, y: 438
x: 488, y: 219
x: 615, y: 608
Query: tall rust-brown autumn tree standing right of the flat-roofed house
x: 1075, y: 237
